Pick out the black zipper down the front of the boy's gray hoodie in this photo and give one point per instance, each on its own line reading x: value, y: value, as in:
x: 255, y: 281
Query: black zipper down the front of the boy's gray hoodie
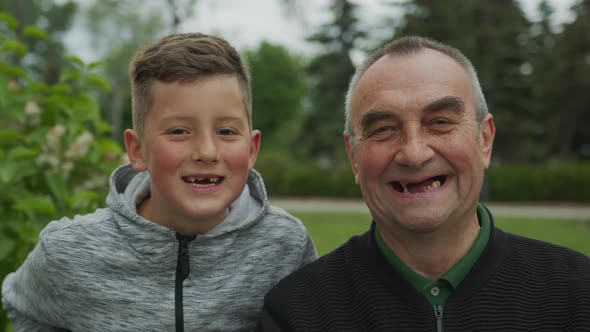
x: 182, y: 272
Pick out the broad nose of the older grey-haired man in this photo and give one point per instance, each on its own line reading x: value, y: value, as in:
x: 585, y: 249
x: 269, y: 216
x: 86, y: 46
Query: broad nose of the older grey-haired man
x: 414, y: 150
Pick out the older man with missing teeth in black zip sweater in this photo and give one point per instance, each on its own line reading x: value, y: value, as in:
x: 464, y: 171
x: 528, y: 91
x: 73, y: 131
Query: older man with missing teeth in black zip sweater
x: 419, y: 138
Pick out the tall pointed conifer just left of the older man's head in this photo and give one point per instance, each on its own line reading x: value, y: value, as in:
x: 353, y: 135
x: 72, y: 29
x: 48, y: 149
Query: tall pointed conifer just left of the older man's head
x: 330, y: 73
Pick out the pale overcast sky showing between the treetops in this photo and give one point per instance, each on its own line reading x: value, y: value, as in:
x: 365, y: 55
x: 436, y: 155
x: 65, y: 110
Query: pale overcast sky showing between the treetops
x: 245, y: 23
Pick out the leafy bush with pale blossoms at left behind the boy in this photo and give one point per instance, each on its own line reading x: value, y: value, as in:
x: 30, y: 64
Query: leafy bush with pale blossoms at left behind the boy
x: 56, y: 153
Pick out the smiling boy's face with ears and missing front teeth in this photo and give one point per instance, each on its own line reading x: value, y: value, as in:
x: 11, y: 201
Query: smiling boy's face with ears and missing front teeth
x: 198, y: 148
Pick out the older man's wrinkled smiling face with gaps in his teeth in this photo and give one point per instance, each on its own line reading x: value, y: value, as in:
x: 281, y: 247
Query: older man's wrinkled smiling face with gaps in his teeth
x: 418, y: 156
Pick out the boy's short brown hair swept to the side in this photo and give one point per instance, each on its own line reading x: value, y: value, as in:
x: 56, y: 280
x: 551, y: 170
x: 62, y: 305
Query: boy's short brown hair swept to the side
x: 185, y: 58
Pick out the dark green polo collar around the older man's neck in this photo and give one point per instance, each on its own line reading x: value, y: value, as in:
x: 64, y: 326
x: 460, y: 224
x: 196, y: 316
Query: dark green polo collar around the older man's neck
x: 437, y: 291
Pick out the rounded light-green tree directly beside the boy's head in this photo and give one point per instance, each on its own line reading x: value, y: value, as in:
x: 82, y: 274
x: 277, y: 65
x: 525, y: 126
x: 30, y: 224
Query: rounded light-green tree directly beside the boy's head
x: 278, y: 87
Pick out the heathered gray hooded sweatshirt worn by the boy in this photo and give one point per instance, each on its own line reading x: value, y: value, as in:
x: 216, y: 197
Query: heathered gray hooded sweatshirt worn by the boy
x: 113, y: 270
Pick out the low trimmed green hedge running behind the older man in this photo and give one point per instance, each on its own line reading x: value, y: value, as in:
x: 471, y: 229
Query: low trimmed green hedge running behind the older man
x: 568, y: 182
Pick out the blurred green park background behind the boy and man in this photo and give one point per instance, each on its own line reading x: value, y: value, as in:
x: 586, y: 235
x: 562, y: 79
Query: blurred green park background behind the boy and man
x: 65, y: 99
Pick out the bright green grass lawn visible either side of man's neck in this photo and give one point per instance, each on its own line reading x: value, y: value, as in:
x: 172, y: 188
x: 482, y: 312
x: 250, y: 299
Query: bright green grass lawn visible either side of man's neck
x: 330, y: 229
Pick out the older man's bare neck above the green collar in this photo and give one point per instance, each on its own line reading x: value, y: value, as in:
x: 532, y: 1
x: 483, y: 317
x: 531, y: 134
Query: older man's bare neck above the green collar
x: 432, y: 254
